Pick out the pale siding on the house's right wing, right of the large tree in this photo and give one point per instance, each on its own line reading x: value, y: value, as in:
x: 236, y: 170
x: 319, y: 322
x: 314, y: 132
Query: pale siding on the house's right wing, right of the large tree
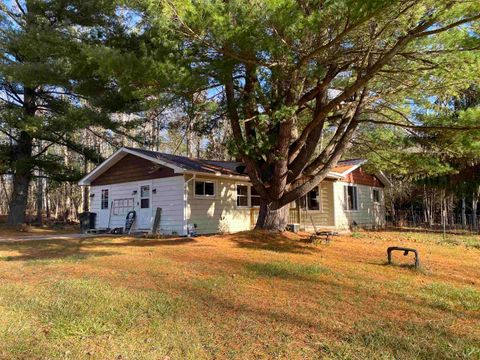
x: 368, y: 215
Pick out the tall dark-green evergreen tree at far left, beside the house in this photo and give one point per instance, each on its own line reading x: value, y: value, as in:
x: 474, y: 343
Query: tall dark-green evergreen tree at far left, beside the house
x: 55, y: 78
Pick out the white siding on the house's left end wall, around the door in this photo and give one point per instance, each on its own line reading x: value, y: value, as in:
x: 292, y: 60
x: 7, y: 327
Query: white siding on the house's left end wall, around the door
x: 168, y: 196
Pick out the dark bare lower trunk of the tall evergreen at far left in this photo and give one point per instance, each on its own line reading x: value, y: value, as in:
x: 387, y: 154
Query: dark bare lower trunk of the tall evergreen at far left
x: 21, y: 180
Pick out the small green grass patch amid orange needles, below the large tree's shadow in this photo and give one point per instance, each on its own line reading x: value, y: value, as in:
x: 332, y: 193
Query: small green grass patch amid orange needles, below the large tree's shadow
x: 287, y: 270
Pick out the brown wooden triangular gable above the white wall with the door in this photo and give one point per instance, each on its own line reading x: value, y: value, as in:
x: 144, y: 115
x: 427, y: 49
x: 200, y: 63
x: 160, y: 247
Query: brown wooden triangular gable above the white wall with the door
x: 133, y: 168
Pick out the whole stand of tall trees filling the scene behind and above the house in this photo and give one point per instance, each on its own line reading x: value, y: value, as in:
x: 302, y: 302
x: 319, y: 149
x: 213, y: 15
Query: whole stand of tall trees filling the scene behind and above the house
x: 287, y: 87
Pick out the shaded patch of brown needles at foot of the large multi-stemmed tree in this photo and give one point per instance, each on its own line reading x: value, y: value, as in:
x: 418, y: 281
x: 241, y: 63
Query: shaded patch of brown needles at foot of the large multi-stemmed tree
x: 271, y: 241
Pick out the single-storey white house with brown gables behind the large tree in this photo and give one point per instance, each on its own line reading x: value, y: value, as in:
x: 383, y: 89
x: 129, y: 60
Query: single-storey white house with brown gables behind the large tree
x: 217, y: 195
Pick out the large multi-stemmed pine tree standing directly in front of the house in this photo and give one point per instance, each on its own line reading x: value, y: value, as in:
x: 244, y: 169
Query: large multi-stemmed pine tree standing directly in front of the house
x: 289, y: 71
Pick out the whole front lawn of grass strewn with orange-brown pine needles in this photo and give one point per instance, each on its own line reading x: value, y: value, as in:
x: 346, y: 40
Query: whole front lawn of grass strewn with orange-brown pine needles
x: 248, y: 295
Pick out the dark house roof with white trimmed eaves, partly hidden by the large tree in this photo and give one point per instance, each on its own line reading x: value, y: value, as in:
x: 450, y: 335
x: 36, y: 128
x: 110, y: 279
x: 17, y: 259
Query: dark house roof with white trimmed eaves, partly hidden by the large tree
x: 183, y: 164
